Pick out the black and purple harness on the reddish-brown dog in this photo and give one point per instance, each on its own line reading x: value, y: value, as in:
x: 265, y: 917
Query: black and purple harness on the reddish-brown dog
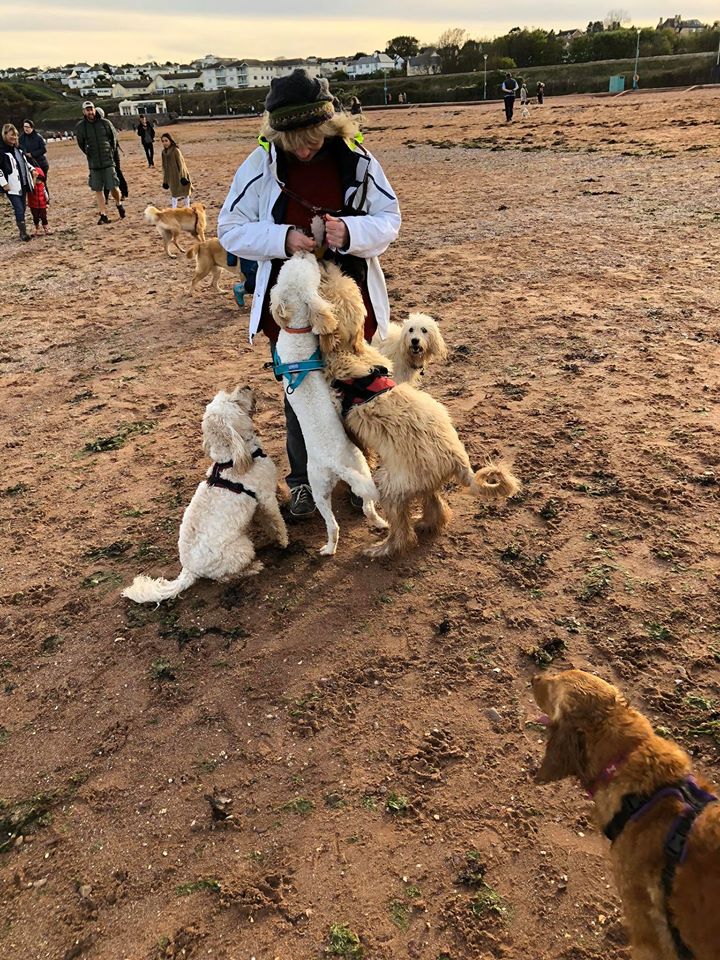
x: 634, y: 805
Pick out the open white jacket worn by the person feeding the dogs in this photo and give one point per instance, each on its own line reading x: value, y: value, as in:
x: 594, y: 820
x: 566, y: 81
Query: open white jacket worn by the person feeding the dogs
x: 247, y: 229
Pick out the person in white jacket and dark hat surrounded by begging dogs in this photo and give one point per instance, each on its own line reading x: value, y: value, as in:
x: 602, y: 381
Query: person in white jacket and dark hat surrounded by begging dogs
x: 310, y: 163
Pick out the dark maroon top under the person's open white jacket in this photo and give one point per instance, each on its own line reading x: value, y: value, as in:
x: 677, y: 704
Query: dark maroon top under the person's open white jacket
x: 318, y: 182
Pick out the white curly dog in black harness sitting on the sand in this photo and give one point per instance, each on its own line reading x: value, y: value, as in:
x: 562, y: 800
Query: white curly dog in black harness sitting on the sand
x: 214, y: 537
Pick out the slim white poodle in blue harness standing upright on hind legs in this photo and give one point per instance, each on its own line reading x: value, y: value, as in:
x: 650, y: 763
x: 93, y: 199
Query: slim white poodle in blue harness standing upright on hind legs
x: 303, y: 315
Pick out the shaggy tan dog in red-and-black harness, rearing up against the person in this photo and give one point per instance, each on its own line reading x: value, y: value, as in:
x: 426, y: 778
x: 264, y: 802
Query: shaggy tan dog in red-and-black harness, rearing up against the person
x: 410, y: 432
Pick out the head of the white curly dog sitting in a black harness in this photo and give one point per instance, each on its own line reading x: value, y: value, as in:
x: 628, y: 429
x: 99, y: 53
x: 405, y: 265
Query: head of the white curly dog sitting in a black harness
x: 228, y: 429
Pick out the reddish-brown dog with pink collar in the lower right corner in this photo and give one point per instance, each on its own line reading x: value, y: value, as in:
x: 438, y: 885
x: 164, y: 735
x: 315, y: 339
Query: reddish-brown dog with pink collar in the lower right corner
x: 596, y: 736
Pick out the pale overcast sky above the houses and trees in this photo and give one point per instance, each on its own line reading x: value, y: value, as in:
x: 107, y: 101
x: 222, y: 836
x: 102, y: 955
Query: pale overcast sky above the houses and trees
x: 52, y: 32
